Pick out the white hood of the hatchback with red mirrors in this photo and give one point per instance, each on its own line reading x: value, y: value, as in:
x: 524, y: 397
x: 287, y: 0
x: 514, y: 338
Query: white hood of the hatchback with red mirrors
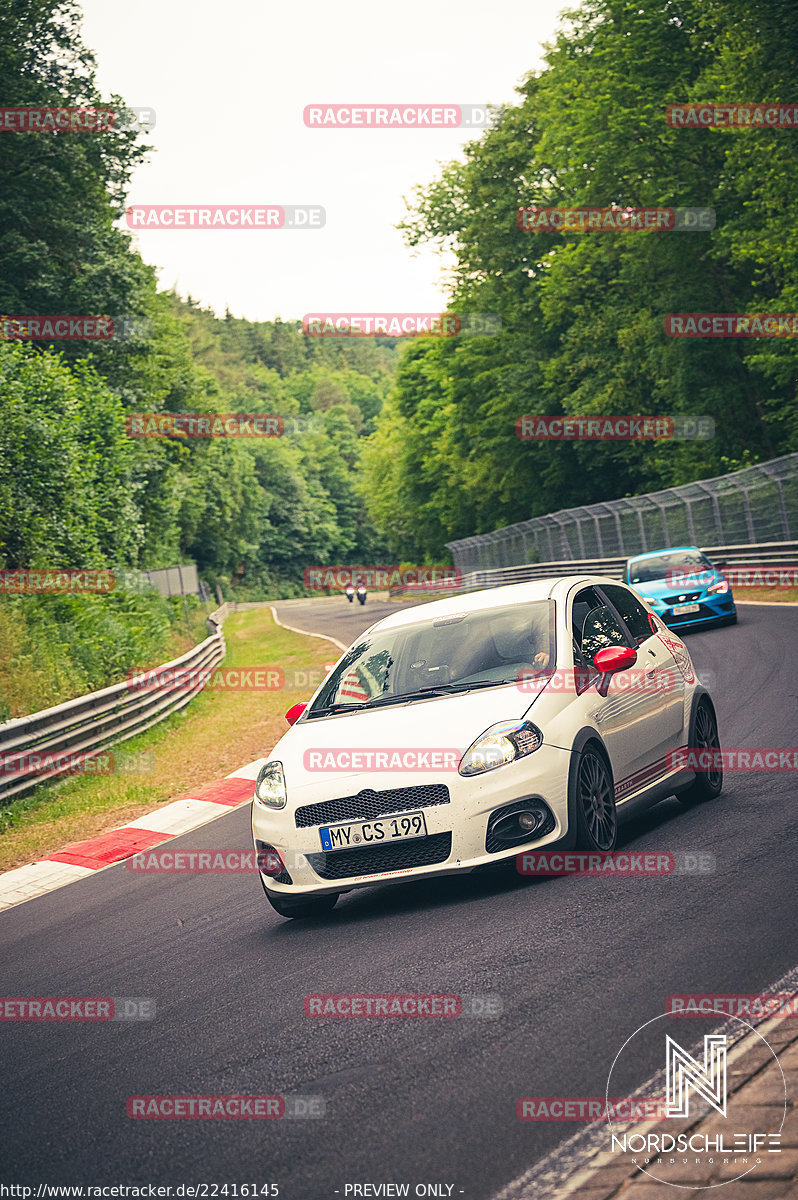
x: 445, y: 724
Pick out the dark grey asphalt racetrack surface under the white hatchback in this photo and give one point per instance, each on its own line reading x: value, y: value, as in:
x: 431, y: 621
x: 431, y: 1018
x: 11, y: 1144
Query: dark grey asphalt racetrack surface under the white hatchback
x: 579, y: 963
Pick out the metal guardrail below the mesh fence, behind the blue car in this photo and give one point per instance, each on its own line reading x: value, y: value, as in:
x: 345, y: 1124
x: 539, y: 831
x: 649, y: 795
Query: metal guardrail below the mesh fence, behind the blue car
x: 783, y: 554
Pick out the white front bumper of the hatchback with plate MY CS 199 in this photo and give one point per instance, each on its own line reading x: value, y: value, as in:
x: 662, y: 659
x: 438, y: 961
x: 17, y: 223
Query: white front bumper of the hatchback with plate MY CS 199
x: 457, y: 832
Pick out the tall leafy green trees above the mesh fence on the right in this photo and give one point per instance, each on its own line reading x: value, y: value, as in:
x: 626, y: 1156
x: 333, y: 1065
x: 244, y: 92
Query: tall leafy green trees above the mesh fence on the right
x: 584, y: 313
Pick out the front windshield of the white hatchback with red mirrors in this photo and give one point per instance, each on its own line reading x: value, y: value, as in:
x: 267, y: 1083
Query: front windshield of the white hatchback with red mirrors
x: 447, y: 655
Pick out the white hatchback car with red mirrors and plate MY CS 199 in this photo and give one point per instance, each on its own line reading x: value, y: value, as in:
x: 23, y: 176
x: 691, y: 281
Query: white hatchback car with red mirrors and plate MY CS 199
x: 458, y: 734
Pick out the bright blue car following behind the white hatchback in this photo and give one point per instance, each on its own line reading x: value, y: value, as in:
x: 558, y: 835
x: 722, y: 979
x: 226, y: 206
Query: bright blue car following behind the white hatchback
x: 683, y: 587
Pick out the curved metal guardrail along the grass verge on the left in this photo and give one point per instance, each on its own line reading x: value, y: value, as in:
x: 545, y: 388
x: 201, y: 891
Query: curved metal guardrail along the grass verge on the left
x: 45, y: 746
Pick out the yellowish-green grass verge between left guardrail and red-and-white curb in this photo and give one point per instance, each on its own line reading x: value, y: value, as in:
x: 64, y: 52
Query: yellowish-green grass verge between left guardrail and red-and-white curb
x: 217, y: 734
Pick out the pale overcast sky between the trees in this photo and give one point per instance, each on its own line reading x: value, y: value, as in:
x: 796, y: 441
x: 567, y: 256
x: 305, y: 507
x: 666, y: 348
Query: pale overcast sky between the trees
x: 230, y: 82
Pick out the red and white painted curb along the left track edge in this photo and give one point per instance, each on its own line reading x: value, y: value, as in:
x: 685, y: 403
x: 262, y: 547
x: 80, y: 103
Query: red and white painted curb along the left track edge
x: 85, y: 859
